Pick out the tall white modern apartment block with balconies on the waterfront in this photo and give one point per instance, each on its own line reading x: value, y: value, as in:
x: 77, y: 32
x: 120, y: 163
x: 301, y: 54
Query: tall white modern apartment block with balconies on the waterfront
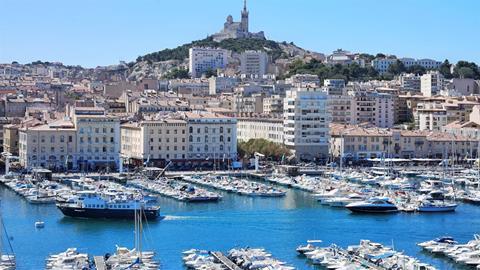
x: 306, y: 120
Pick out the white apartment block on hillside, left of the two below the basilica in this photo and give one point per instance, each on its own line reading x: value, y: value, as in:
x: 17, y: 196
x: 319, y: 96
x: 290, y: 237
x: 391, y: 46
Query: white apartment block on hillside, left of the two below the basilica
x: 202, y: 60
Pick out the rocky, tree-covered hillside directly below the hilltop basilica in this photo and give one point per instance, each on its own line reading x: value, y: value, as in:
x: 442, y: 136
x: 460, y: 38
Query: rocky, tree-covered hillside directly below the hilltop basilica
x: 160, y: 64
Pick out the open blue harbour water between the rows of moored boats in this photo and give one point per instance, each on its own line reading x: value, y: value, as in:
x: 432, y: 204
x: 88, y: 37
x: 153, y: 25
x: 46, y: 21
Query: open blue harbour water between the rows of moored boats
x: 277, y: 224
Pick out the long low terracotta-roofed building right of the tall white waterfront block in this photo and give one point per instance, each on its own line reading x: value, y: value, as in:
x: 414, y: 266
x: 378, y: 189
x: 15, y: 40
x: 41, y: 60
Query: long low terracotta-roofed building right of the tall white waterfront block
x: 363, y: 142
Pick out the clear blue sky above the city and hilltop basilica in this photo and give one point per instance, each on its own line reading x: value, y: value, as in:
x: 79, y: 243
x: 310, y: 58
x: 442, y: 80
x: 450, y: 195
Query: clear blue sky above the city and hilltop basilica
x: 102, y: 32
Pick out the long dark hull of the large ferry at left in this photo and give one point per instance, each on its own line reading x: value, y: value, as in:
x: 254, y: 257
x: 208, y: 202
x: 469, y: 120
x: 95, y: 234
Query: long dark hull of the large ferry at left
x: 70, y: 211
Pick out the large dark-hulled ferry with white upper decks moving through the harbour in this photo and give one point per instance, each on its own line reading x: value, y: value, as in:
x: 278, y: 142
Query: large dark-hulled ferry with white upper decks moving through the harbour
x: 90, y: 204
